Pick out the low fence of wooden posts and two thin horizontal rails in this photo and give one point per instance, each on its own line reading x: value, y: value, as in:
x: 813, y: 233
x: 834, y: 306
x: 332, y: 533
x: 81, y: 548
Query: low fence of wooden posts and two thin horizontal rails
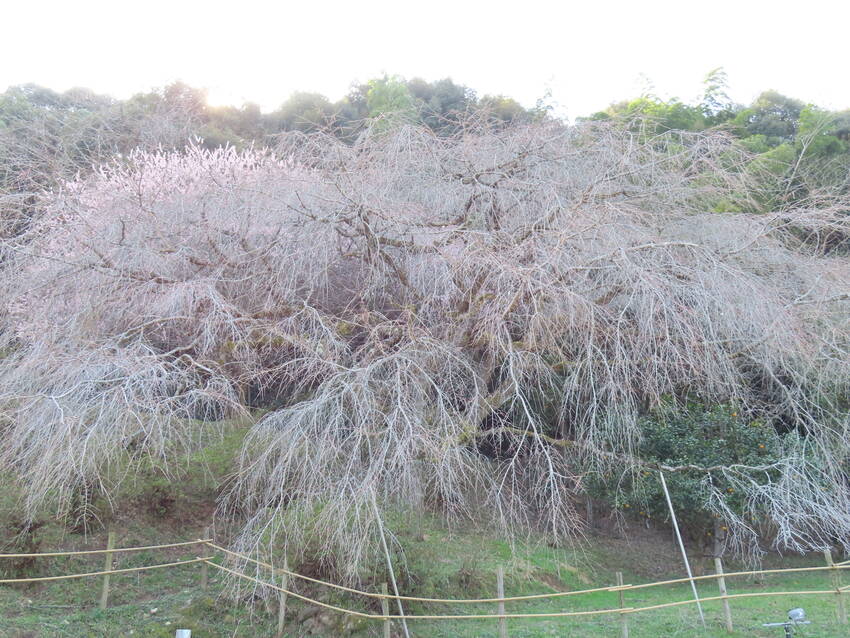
x: 385, y: 617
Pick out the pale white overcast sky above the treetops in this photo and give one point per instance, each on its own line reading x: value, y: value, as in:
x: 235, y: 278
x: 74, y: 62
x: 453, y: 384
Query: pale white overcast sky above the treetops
x: 588, y: 53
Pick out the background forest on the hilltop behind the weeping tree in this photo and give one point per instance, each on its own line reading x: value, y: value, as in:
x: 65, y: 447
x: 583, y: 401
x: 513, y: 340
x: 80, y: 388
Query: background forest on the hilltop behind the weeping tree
x: 48, y: 135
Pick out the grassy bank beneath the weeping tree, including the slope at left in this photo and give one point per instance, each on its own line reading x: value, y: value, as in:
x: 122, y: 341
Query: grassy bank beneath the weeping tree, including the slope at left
x: 437, y: 562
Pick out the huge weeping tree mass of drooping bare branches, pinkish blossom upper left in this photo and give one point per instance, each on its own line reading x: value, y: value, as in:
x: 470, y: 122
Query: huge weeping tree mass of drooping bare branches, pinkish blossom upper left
x: 467, y: 324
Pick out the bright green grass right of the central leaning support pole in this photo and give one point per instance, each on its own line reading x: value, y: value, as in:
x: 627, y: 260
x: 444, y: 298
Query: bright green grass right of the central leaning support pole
x: 538, y: 569
